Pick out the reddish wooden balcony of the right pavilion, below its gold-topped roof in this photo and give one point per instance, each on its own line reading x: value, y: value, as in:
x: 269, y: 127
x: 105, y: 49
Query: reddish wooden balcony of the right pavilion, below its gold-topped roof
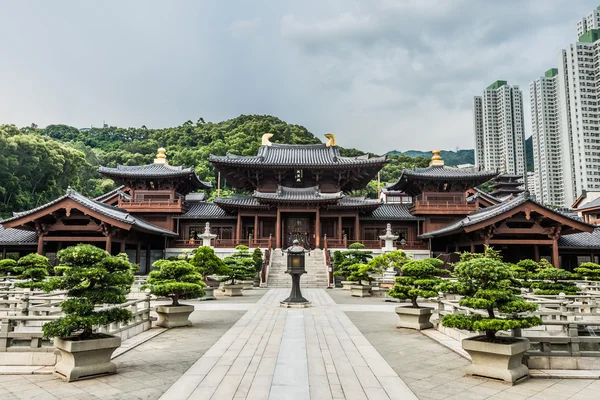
x: 441, y: 203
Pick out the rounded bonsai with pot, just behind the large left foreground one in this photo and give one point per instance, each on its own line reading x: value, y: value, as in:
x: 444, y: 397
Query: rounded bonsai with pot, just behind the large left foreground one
x: 177, y: 280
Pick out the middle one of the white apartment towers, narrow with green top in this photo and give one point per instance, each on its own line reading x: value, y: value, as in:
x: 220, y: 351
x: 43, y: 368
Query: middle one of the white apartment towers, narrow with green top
x: 545, y: 132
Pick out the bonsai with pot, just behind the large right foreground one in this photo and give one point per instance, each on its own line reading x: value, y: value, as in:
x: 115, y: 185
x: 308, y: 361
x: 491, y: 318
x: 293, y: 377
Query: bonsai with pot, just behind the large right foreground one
x: 419, y: 279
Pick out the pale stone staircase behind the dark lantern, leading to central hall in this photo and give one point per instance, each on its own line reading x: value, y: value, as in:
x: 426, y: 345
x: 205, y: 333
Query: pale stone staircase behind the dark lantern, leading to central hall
x: 316, y: 272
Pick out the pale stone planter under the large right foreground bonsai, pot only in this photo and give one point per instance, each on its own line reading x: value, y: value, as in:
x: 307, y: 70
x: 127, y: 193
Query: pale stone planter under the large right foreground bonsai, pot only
x: 497, y: 360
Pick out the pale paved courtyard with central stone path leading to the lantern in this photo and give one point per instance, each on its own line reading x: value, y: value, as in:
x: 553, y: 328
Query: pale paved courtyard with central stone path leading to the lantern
x: 250, y: 348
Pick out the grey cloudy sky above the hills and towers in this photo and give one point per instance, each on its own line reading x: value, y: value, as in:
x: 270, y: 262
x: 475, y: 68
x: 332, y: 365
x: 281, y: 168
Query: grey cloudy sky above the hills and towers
x: 381, y: 74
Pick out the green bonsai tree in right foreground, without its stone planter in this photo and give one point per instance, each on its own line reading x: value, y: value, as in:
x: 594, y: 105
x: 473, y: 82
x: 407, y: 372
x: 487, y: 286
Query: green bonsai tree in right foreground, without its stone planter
x: 485, y: 283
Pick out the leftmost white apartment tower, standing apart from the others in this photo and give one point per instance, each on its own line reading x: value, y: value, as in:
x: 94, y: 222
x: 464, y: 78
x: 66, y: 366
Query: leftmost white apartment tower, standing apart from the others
x: 499, y: 132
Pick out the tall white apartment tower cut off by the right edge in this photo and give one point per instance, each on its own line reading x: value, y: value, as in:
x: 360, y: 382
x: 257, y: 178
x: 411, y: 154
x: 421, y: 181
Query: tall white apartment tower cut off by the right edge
x: 579, y: 91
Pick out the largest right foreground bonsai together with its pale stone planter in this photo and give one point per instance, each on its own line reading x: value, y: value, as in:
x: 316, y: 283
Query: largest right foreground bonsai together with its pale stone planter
x: 485, y: 282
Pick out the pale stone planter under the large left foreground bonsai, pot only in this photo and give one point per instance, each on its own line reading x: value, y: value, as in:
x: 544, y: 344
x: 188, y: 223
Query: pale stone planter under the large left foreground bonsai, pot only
x: 81, y: 359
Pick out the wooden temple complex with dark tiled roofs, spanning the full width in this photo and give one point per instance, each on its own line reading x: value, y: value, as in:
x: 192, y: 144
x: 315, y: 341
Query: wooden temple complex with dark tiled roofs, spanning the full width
x: 306, y: 193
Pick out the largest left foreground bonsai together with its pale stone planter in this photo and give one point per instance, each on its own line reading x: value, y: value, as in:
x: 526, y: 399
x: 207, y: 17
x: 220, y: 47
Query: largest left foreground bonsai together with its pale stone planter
x: 91, y: 277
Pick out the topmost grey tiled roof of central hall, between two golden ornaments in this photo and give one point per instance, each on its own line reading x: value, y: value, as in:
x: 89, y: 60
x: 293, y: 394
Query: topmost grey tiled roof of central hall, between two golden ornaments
x: 297, y: 155
